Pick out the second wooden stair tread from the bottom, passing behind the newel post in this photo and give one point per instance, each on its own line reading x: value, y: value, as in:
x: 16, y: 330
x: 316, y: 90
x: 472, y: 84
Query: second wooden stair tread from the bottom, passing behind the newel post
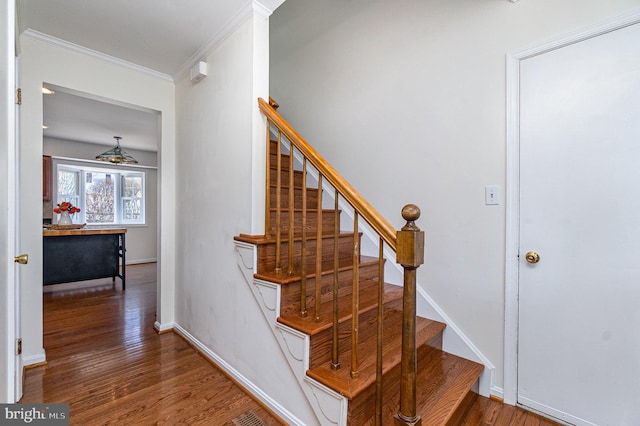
x: 341, y: 381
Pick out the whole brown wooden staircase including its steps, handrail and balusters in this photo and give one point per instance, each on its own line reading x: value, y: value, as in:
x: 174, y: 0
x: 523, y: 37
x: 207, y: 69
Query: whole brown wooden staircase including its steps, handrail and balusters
x: 336, y: 296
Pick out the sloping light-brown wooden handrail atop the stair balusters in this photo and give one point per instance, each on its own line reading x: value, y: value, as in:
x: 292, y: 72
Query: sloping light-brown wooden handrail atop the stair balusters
x: 366, y: 211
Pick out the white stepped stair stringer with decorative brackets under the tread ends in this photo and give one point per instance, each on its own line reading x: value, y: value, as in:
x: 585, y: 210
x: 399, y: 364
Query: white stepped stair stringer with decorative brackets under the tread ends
x: 330, y: 408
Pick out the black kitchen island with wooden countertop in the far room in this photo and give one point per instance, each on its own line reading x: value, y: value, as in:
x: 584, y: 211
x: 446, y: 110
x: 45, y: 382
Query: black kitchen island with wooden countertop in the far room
x: 83, y: 254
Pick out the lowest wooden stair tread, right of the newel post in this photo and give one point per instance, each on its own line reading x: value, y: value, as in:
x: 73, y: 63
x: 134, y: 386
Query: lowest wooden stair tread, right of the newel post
x: 443, y: 385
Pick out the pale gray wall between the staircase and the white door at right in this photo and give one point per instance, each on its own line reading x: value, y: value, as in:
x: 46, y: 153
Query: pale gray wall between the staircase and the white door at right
x: 407, y: 100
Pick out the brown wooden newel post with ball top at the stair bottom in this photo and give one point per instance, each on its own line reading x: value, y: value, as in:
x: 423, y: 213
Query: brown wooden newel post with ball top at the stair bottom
x: 410, y: 254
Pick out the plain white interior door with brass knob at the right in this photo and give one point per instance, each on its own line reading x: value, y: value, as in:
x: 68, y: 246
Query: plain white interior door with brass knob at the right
x: 579, y: 306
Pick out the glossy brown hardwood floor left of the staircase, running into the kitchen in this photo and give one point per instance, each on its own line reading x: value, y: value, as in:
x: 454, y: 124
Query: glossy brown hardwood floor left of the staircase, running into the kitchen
x: 105, y: 360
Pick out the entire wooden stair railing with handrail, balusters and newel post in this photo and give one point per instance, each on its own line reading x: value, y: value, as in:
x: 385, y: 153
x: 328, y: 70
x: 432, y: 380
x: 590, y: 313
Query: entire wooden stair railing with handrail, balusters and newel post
x: 408, y: 243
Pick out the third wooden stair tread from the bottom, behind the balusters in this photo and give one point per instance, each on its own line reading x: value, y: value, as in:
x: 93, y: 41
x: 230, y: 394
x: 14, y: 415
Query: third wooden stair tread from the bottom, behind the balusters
x: 368, y: 301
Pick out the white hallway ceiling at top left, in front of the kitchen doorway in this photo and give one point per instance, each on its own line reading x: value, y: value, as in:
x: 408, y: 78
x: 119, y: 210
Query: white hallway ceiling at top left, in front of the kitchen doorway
x: 161, y: 35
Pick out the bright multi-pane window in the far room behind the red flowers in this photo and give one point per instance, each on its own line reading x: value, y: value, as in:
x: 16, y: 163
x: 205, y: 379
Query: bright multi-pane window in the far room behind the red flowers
x: 105, y: 197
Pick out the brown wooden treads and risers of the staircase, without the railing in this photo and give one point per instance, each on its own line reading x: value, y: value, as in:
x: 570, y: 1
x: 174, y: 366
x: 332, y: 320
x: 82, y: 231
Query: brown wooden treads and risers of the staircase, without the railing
x: 444, y: 381
